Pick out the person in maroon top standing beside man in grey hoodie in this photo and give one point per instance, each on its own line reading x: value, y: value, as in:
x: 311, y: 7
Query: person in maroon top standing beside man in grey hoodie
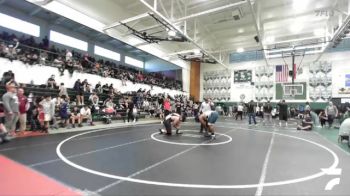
x: 23, y: 107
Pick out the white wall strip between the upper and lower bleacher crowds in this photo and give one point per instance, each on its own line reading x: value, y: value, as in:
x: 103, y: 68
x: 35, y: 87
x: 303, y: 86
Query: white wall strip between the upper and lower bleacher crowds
x: 39, y: 75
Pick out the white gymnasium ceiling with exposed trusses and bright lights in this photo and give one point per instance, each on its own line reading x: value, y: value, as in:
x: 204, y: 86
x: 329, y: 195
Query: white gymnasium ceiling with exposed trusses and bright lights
x: 277, y: 23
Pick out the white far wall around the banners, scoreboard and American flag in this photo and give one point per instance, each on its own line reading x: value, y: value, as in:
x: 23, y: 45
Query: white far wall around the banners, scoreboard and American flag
x: 340, y: 66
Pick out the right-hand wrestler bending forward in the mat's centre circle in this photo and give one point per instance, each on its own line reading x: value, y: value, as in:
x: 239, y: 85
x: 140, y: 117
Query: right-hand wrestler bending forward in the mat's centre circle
x: 208, y: 119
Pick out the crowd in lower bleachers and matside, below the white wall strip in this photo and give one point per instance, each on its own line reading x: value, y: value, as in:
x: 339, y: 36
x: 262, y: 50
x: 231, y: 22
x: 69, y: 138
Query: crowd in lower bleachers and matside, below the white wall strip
x: 56, y: 106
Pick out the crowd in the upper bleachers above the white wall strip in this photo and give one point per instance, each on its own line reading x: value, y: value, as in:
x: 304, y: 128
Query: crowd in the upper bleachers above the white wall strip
x: 27, y: 50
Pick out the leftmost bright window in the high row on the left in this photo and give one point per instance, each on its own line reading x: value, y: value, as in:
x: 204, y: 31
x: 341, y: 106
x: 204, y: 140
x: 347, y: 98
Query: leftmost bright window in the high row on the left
x: 19, y: 25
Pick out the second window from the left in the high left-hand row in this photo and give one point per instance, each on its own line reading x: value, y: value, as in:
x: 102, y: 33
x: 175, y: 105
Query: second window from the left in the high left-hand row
x: 68, y: 41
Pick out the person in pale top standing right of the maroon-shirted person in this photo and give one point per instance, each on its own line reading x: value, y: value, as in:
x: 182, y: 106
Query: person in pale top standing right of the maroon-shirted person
x: 48, y: 109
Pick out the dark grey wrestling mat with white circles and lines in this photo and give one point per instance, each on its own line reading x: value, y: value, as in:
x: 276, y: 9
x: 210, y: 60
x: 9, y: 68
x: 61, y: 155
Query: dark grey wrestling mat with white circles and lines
x: 242, y: 160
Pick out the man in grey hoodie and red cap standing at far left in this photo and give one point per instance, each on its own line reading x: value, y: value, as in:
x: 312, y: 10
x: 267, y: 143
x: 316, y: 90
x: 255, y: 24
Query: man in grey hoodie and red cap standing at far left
x: 11, y: 107
